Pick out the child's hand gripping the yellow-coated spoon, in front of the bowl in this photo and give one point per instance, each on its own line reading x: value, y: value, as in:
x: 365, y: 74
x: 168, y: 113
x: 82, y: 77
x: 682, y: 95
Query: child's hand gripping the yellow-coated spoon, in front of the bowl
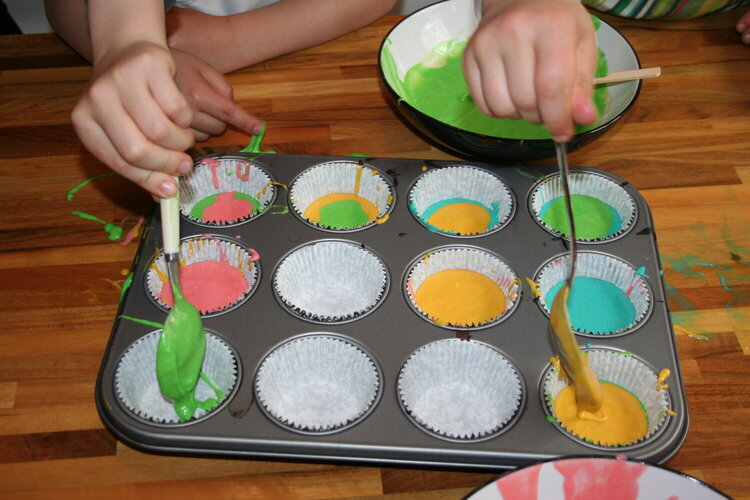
x: 534, y: 59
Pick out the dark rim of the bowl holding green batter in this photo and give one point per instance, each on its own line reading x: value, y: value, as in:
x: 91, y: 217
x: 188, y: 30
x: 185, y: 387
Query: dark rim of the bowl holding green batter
x: 578, y: 136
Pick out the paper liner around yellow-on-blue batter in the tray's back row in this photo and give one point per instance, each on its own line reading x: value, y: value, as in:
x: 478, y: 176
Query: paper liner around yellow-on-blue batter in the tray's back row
x: 462, y: 183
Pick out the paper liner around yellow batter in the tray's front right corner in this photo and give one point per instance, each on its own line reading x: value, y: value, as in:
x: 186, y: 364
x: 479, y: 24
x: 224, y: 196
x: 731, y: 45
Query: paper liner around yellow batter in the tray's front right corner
x: 620, y: 368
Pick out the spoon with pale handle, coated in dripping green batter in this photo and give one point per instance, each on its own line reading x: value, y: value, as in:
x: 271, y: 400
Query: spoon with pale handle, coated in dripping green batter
x: 182, y: 344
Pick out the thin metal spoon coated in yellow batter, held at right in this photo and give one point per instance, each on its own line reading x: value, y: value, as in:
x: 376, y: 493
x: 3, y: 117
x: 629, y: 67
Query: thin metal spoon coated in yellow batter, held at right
x: 588, y: 391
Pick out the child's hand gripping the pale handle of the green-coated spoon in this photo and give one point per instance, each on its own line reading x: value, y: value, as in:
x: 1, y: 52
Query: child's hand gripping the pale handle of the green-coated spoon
x: 133, y: 117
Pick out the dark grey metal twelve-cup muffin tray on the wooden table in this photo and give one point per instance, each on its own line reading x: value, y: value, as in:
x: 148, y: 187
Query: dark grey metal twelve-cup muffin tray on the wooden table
x: 391, y: 333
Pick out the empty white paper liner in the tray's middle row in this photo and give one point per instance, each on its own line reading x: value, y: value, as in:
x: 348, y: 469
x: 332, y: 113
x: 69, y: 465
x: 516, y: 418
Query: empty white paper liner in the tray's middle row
x: 331, y: 281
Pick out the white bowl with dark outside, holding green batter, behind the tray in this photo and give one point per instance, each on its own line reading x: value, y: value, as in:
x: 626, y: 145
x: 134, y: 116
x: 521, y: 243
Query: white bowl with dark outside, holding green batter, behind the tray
x: 436, y: 34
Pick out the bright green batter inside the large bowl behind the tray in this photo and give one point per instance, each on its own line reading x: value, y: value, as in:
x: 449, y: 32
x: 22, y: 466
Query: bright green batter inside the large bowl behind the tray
x: 438, y: 89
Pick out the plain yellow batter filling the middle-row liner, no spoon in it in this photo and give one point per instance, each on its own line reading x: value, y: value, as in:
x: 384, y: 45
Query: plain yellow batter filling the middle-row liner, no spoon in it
x: 460, y: 297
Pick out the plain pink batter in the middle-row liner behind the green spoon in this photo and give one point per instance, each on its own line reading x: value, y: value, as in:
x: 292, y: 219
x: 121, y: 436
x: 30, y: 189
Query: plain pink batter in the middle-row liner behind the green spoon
x: 210, y: 285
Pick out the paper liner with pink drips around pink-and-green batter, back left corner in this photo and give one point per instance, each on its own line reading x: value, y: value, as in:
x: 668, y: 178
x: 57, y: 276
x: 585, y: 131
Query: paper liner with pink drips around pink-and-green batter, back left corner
x: 226, y: 174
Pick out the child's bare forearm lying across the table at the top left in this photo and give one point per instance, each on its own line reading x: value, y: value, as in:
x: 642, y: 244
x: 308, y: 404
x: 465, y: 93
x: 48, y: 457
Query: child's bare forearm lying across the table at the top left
x: 240, y: 40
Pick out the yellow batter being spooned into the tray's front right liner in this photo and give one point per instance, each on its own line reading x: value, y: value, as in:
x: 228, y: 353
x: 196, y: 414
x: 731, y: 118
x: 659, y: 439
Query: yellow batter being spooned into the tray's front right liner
x: 624, y: 420
